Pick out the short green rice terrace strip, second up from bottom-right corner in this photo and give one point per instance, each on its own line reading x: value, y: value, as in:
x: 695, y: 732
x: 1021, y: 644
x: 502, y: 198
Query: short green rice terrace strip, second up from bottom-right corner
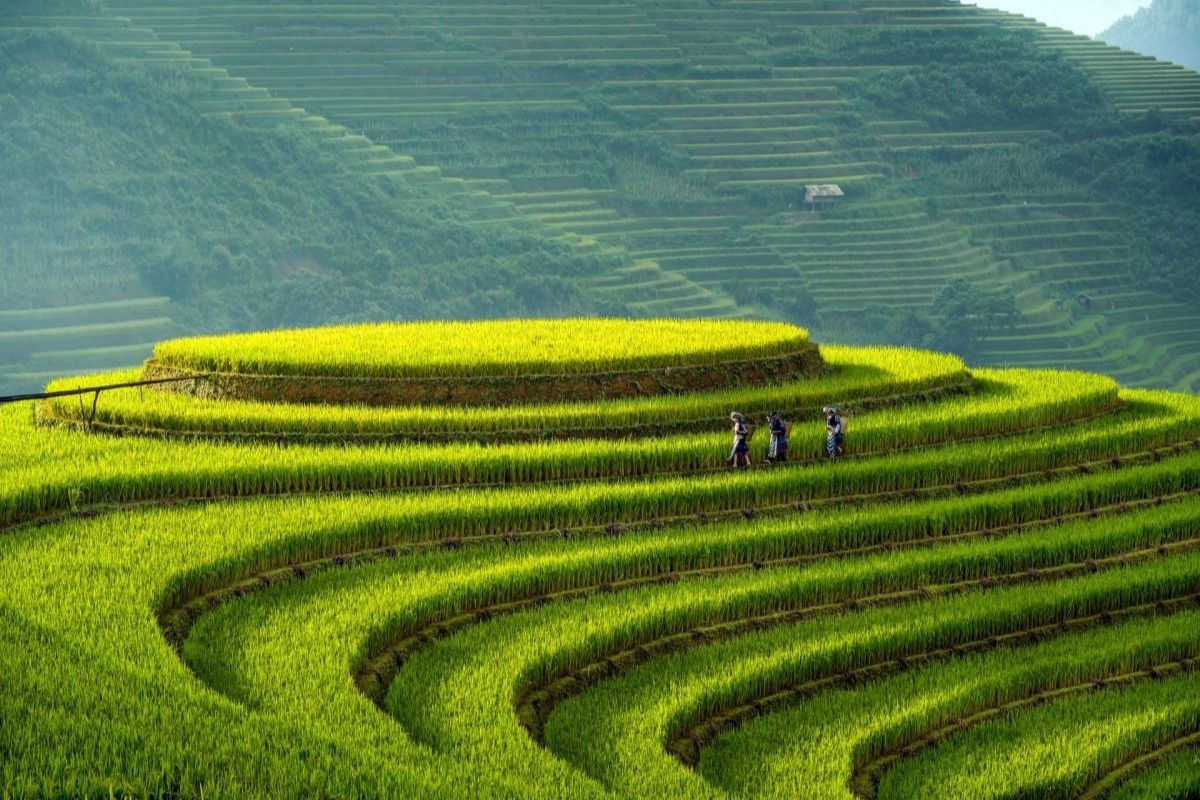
x: 1058, y: 750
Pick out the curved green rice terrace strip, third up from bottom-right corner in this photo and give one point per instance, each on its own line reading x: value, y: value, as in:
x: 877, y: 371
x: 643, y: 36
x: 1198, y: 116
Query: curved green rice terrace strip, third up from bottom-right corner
x: 825, y: 744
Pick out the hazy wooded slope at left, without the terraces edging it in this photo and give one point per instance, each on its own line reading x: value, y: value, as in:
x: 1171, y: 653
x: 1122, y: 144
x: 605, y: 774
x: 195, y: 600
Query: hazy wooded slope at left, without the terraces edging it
x: 115, y: 182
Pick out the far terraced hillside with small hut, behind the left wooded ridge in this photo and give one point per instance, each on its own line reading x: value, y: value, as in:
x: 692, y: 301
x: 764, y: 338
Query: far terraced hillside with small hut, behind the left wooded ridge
x: 1052, y: 173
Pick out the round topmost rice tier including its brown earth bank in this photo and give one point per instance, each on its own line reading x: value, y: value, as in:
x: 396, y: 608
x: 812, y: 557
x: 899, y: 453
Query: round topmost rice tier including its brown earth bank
x: 488, y: 364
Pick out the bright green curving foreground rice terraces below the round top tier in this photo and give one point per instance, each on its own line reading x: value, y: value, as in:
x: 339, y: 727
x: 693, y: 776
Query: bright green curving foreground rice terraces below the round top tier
x: 995, y: 593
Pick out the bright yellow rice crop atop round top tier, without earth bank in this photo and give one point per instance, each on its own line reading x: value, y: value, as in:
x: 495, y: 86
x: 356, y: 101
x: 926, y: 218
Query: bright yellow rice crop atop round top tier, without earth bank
x: 511, y: 348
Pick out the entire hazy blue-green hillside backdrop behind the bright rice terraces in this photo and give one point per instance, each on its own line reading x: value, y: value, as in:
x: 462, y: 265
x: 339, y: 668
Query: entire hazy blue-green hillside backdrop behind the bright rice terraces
x: 1015, y: 194
